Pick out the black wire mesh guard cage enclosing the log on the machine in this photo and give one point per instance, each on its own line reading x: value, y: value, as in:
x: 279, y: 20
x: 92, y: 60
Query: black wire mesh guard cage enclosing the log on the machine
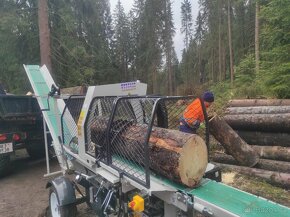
x: 118, y: 130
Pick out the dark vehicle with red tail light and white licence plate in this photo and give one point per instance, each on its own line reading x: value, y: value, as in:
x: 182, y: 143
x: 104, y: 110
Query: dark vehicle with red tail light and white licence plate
x: 21, y: 127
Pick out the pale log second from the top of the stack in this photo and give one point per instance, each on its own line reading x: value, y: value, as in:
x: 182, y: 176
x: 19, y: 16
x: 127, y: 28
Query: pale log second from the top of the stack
x: 258, y: 110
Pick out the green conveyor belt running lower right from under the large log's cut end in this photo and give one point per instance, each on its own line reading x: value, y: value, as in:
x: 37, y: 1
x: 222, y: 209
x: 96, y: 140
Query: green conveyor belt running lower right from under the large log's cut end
x: 231, y: 199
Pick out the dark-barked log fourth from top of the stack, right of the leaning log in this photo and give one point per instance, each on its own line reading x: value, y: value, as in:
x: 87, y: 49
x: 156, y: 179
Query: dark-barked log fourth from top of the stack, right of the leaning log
x: 265, y: 139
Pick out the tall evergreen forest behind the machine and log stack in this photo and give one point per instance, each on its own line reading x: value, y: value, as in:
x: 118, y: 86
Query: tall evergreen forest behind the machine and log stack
x: 235, y: 47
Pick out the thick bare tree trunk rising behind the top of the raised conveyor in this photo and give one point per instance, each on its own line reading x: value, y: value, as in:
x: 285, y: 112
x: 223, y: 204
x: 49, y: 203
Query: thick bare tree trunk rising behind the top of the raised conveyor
x: 44, y: 34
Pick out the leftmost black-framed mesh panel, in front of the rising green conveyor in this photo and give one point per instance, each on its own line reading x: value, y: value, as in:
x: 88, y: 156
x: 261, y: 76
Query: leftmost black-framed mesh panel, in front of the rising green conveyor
x: 69, y: 120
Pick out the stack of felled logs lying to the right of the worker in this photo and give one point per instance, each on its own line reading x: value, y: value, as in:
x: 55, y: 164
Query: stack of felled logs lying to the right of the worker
x: 263, y: 126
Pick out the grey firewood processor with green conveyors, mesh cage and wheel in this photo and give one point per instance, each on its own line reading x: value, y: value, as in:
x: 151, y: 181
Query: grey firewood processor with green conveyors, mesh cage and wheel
x: 104, y: 138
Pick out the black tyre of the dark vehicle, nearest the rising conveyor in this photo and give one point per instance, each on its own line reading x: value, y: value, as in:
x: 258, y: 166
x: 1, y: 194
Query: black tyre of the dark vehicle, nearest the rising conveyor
x: 35, y: 149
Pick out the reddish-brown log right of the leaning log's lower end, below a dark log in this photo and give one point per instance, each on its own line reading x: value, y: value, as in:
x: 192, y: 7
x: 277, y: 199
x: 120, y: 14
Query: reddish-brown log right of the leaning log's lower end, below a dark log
x: 273, y: 152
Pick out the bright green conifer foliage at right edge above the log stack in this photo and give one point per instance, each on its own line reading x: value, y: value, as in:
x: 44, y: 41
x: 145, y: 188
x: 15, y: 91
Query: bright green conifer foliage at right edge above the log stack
x: 276, y: 48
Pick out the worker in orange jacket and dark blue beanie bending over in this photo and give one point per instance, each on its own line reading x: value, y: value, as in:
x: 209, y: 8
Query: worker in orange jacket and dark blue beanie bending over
x: 193, y: 115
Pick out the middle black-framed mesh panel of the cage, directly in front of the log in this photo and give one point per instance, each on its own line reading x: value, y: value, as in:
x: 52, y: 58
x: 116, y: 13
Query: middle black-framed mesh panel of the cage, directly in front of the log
x: 127, y: 137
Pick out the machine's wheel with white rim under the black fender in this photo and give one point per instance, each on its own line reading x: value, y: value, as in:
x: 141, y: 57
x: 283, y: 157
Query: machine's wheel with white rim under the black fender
x: 56, y: 210
